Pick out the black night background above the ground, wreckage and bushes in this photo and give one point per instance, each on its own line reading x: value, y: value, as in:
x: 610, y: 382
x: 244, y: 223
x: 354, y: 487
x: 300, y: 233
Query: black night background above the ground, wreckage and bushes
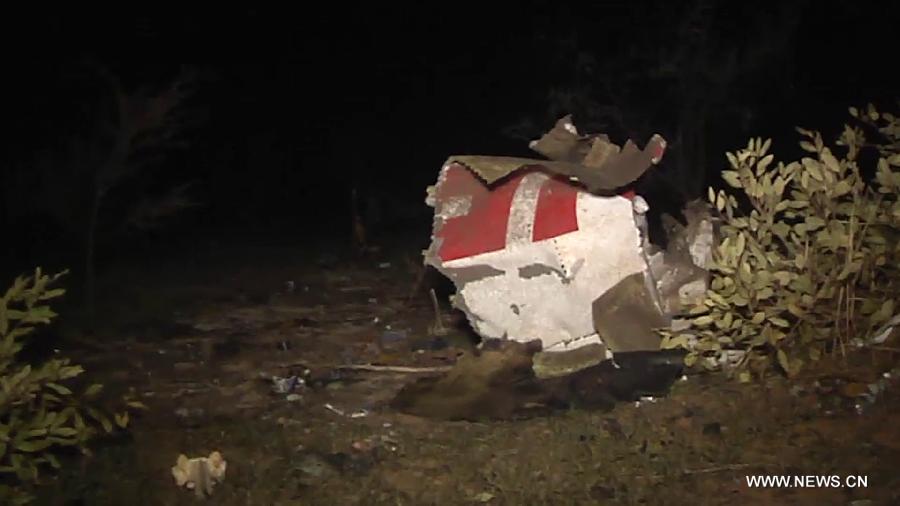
x: 291, y: 108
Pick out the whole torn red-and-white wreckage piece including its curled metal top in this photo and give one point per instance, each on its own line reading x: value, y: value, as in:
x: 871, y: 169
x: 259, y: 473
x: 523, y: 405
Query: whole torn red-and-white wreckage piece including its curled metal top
x: 550, y: 250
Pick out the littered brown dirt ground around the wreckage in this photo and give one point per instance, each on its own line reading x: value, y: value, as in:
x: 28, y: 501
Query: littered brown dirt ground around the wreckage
x: 199, y: 336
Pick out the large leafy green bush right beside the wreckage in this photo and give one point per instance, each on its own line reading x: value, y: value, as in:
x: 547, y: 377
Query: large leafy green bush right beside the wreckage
x: 808, y: 262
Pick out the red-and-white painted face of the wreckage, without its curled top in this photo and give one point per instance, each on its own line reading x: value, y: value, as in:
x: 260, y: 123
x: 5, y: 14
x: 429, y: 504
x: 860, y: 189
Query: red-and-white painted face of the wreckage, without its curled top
x: 530, y: 256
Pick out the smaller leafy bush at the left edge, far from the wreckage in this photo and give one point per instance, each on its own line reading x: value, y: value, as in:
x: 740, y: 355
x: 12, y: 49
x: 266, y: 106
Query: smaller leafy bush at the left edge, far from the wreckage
x: 39, y: 413
